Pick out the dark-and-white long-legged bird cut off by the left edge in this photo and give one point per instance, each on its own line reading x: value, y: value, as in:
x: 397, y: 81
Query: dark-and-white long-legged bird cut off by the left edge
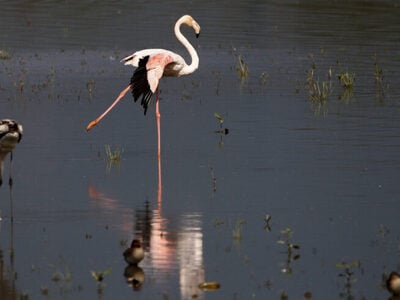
x: 10, y: 135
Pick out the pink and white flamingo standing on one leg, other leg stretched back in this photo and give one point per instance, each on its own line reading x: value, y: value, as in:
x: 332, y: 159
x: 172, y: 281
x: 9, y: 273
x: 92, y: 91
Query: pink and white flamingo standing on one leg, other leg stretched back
x: 151, y: 65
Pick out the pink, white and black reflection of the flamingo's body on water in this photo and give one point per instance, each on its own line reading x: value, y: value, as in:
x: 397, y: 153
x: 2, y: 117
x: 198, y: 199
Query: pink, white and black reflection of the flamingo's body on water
x: 168, y: 247
